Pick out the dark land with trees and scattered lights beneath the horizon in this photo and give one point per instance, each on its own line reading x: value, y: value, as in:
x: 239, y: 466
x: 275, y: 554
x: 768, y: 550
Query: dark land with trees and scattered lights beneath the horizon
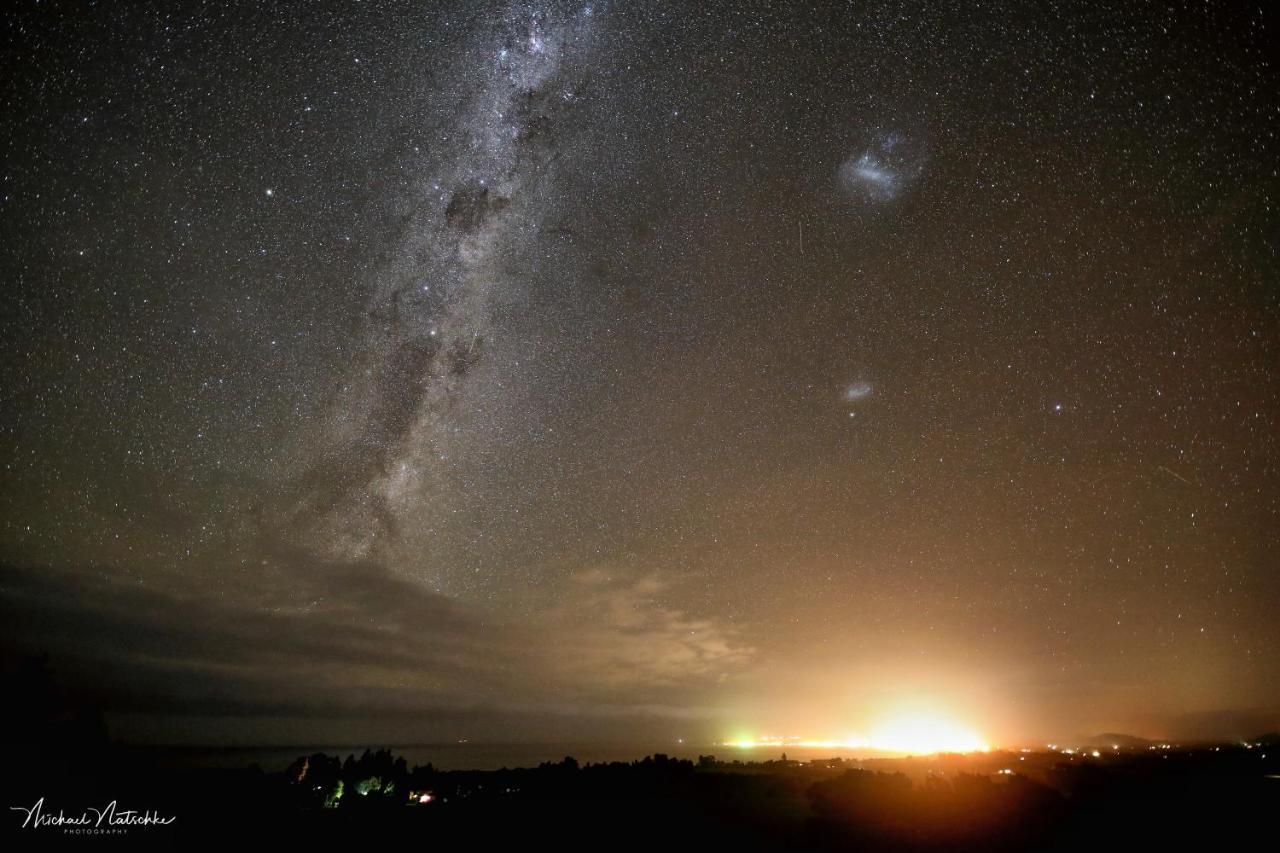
x: 1223, y: 797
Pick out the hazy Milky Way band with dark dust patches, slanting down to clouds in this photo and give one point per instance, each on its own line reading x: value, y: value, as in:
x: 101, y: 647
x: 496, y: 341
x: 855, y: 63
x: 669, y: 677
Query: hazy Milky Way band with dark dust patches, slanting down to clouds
x: 478, y: 209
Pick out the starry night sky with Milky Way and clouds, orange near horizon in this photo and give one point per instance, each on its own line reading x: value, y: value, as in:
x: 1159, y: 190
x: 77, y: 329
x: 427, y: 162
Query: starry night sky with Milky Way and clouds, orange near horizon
x: 415, y: 371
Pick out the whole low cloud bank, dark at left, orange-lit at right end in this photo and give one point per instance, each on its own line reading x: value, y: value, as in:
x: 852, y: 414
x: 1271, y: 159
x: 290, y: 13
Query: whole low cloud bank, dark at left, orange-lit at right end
x: 326, y: 640
